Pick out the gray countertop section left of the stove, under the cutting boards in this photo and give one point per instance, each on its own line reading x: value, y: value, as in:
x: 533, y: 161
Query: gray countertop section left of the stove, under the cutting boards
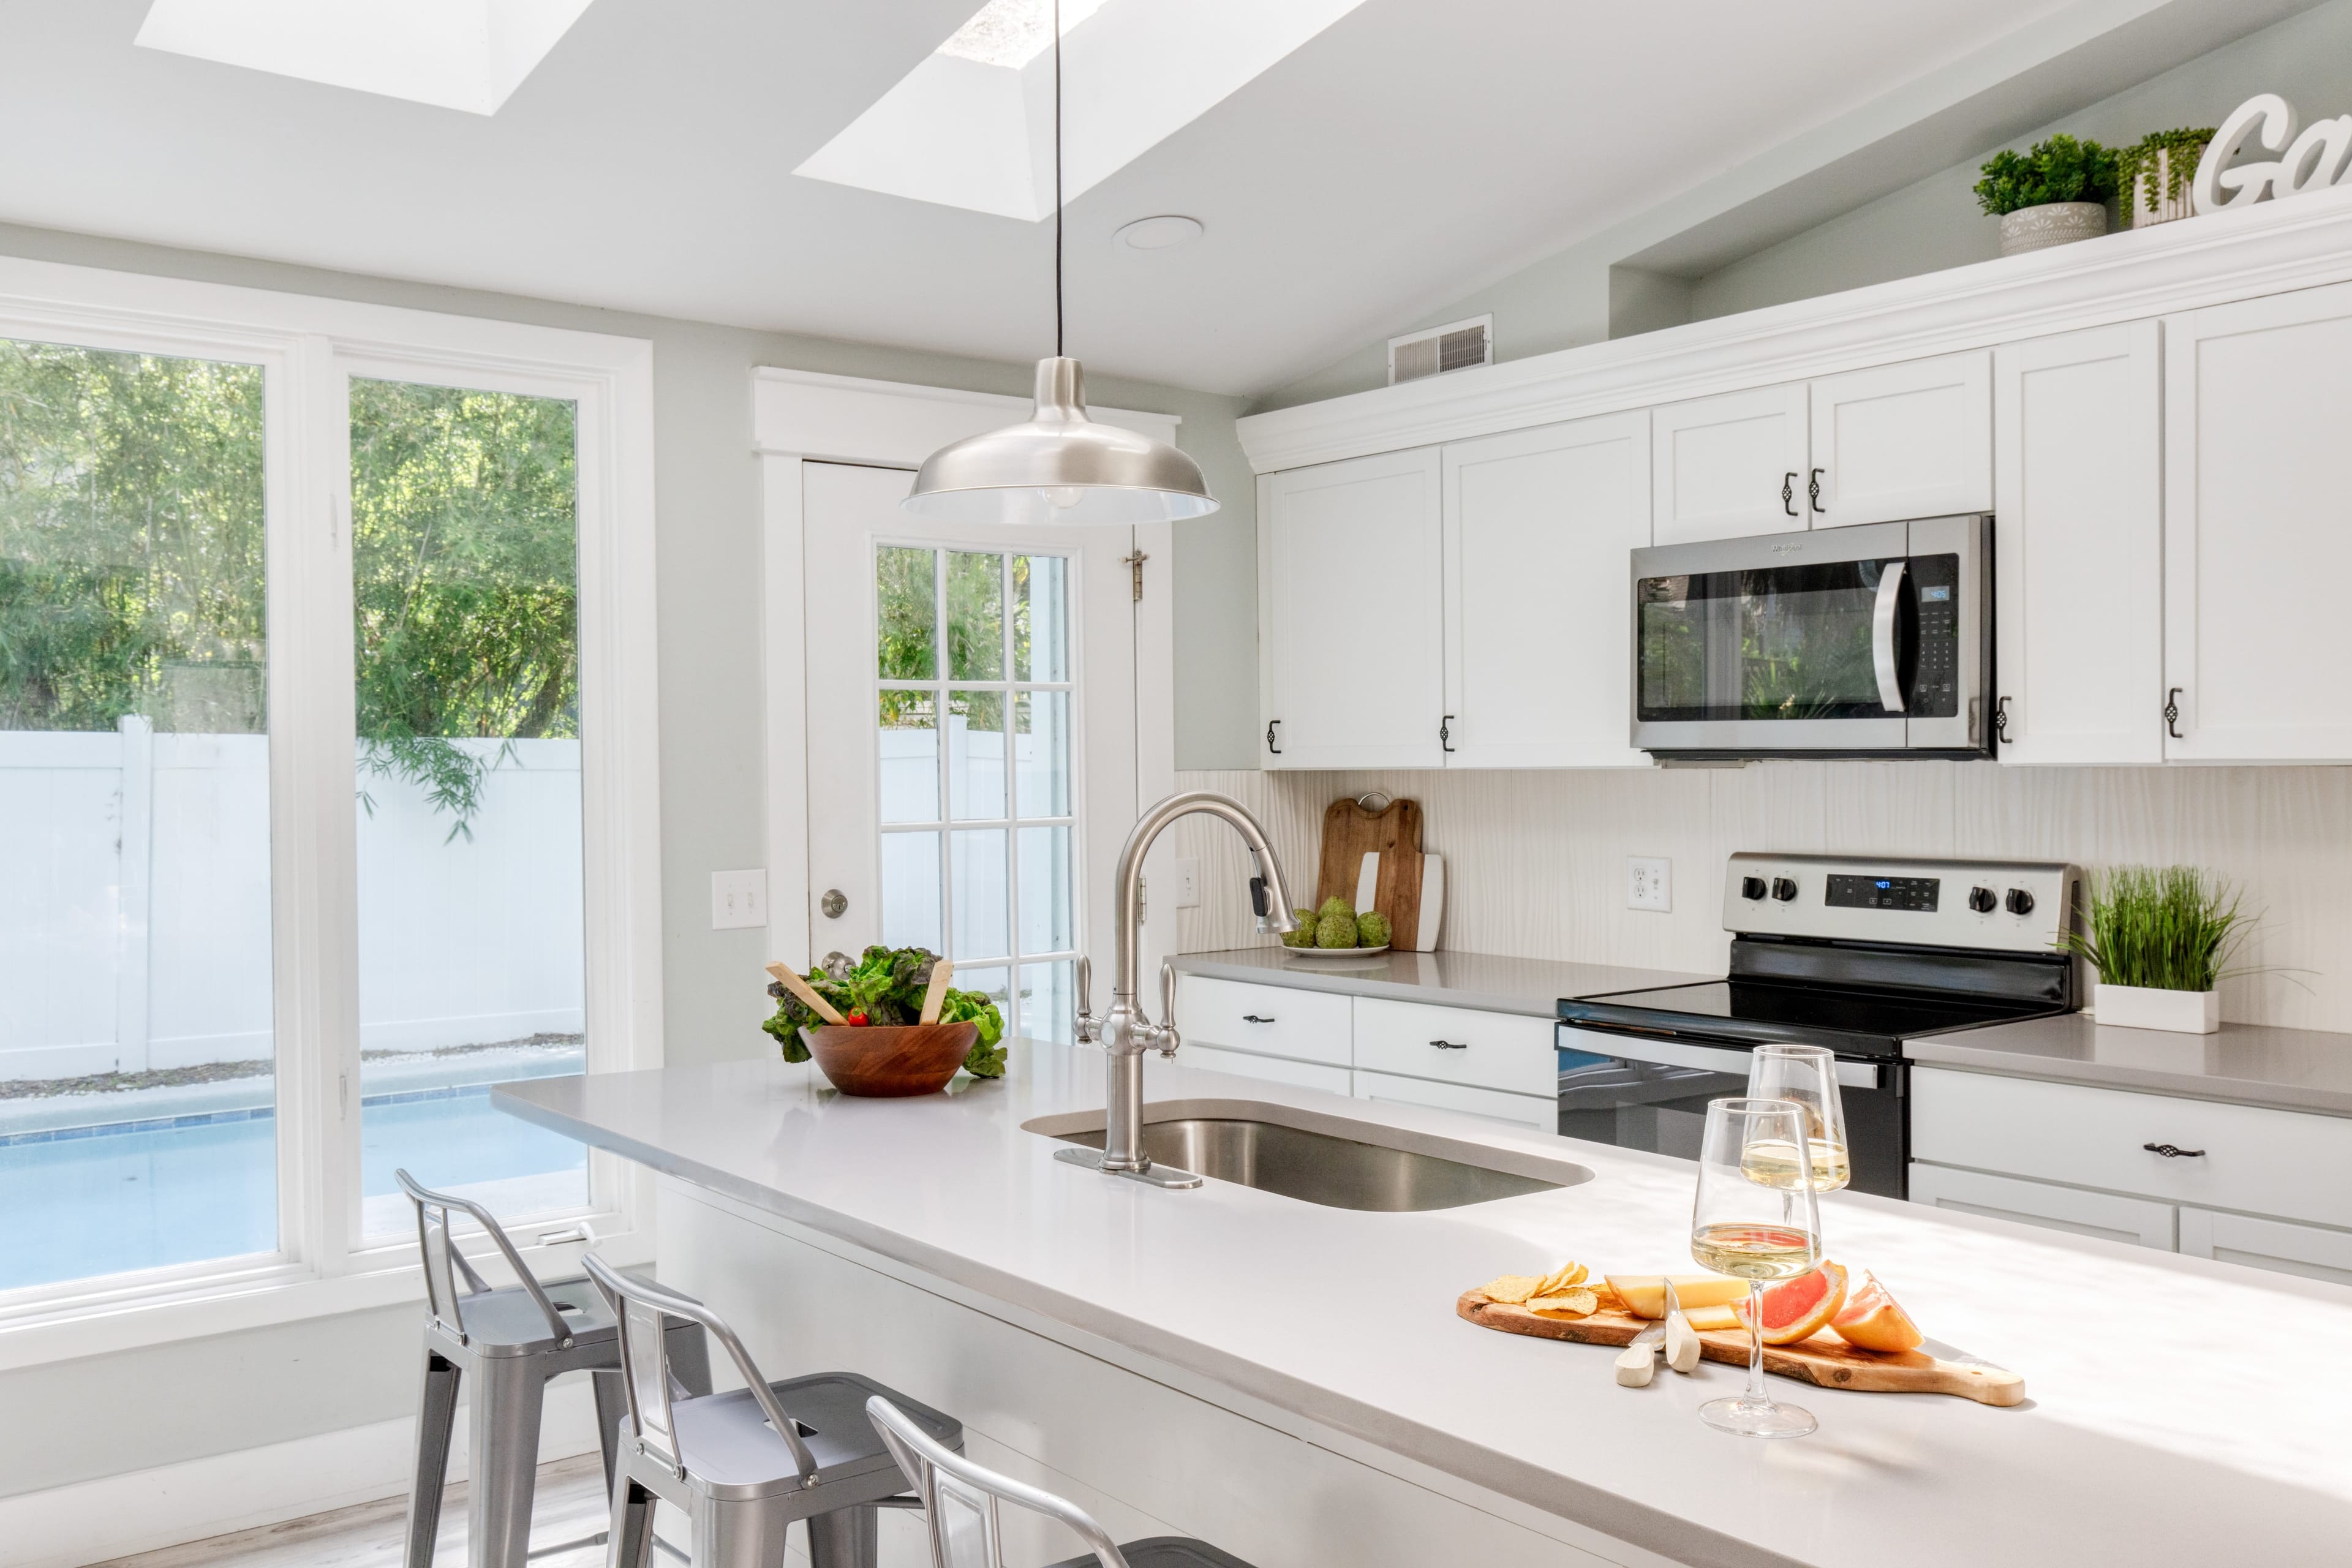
x: 1450, y: 979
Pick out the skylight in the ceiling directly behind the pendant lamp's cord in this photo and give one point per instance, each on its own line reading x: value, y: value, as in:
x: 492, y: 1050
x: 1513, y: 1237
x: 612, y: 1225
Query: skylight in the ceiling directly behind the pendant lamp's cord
x: 973, y: 126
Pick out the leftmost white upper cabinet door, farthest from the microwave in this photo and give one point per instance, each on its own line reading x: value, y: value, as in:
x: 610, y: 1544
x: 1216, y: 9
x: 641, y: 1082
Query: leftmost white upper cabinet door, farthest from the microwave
x: 1351, y: 591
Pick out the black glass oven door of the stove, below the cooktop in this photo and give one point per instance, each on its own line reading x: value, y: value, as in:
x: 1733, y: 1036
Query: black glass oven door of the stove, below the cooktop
x: 1638, y: 1092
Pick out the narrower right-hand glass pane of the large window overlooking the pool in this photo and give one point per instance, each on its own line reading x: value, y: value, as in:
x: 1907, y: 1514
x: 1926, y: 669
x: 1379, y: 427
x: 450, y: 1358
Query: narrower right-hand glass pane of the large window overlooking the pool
x: 467, y: 643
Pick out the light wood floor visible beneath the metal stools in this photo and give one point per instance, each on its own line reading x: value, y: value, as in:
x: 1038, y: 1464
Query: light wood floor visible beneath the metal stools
x: 573, y: 1506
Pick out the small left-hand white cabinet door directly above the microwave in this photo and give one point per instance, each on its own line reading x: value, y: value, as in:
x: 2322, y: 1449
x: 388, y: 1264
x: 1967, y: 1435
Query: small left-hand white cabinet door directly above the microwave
x: 1730, y: 467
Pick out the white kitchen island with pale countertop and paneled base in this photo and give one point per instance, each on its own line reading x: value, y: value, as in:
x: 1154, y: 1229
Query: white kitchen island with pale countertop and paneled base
x: 1292, y: 1381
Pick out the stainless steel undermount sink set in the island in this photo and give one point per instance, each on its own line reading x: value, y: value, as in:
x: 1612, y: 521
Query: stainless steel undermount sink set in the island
x: 1325, y: 1160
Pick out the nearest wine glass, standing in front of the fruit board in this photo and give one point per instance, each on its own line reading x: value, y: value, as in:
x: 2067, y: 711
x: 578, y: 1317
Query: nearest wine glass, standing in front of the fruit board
x: 1756, y: 1231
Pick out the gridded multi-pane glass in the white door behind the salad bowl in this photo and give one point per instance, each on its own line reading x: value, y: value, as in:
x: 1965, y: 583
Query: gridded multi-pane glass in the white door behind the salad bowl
x: 977, y: 800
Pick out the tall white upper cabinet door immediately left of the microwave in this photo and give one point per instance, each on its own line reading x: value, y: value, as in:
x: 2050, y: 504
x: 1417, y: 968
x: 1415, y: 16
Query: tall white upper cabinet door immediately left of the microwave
x: 1539, y: 528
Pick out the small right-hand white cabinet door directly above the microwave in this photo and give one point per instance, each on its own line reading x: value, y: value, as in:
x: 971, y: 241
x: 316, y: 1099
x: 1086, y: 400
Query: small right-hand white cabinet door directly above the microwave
x: 1902, y: 441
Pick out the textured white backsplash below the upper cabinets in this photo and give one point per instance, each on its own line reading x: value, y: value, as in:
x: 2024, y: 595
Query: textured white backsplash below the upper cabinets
x: 1537, y: 862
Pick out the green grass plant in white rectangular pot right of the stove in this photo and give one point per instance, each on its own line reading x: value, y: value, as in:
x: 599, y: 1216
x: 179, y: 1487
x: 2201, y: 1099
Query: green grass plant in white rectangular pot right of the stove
x: 2160, y: 942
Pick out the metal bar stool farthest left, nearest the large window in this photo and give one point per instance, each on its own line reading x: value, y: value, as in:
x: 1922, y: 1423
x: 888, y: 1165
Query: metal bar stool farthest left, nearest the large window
x: 507, y: 1346
